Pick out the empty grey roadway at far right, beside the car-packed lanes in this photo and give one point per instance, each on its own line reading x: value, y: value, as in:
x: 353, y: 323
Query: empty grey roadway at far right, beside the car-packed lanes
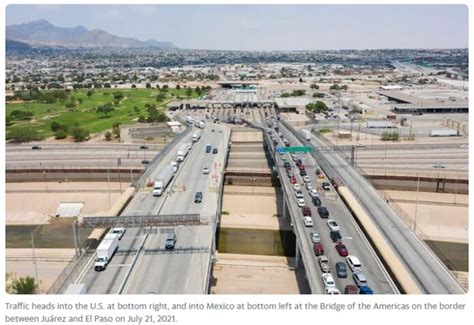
x: 428, y: 271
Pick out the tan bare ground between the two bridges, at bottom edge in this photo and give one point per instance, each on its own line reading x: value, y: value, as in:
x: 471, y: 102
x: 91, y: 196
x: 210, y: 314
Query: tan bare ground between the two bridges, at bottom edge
x: 250, y: 274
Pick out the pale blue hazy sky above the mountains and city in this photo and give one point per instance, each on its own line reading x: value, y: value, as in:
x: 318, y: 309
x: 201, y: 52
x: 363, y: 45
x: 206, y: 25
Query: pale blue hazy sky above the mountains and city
x: 266, y: 27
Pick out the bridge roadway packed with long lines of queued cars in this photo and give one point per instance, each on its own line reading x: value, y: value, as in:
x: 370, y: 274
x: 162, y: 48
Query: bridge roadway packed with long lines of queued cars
x: 353, y: 238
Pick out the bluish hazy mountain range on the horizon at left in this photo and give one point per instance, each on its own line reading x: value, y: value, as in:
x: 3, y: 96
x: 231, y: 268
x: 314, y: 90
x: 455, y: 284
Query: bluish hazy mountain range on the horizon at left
x: 41, y: 32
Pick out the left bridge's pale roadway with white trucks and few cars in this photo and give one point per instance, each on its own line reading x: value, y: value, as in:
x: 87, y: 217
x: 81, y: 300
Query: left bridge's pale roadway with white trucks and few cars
x: 135, y: 270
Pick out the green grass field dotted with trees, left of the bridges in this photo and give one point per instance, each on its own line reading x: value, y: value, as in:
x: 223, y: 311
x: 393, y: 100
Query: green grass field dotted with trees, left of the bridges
x: 85, y: 115
